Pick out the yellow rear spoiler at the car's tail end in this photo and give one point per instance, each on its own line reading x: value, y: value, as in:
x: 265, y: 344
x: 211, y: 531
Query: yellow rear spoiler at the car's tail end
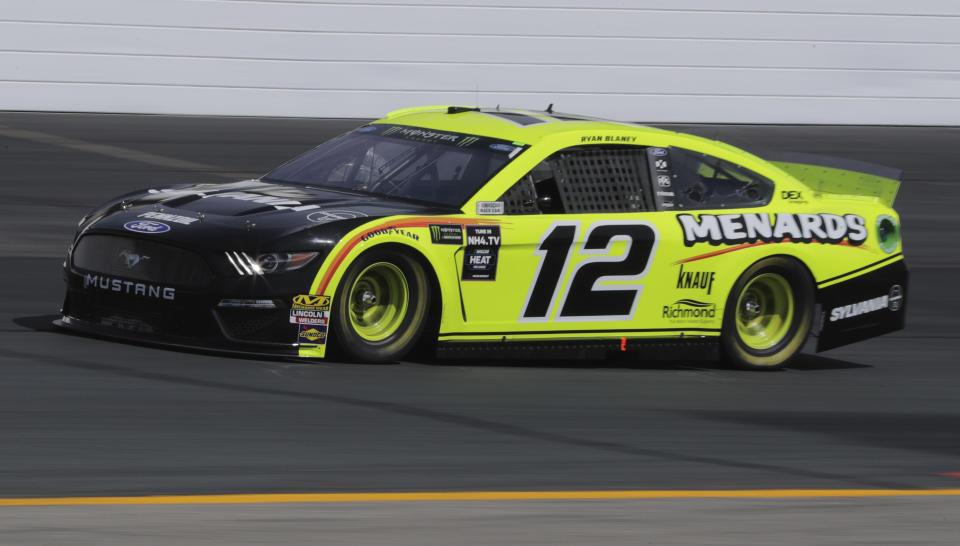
x: 832, y: 175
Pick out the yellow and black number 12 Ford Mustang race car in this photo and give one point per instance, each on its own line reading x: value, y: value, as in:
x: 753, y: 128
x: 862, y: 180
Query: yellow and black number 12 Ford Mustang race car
x: 497, y: 232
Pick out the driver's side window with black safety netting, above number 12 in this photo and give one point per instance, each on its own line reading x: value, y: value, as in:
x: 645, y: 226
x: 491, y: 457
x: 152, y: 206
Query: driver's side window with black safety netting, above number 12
x: 584, y: 179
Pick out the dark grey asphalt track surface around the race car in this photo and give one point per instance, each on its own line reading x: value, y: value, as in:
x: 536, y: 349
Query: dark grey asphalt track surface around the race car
x: 83, y: 417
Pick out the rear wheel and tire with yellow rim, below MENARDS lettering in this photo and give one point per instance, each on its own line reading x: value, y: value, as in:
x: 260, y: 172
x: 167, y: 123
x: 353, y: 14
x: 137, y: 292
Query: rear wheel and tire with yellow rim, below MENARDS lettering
x: 768, y: 314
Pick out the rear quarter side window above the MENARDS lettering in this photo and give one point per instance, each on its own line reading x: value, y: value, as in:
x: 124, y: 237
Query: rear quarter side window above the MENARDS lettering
x: 701, y: 181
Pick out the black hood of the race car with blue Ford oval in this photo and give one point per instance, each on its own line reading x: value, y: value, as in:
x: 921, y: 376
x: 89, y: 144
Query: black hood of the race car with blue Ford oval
x: 249, y: 215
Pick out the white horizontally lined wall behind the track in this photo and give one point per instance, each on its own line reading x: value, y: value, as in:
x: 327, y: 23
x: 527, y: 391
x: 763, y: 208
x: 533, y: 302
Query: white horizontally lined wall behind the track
x: 750, y: 61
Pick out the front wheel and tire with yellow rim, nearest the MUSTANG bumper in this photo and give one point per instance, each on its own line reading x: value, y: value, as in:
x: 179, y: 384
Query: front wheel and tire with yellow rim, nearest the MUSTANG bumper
x: 381, y: 307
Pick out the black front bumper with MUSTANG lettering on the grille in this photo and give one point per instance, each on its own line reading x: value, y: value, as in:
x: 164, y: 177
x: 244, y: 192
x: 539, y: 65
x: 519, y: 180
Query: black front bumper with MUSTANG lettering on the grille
x: 179, y: 303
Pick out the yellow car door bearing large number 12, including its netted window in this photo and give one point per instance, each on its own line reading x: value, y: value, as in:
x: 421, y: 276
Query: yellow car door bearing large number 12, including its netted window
x: 572, y: 252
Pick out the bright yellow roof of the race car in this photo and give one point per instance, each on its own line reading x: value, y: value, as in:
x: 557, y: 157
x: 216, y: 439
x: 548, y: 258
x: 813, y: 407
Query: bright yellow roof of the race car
x: 526, y: 126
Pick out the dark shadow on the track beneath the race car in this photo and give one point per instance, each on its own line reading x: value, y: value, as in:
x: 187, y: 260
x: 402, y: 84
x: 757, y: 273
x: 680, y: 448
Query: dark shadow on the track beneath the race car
x: 803, y: 363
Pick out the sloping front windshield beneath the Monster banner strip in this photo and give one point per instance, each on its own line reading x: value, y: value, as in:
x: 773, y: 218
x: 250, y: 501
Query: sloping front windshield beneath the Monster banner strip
x: 400, y: 161
